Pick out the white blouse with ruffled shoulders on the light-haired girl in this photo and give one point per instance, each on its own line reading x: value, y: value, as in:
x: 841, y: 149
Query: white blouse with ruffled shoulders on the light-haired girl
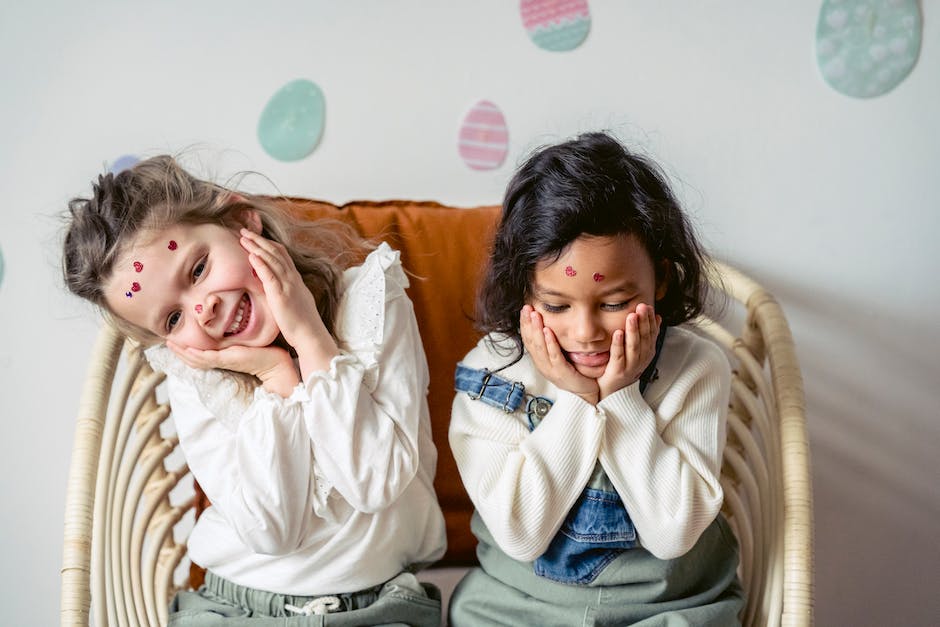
x: 329, y: 490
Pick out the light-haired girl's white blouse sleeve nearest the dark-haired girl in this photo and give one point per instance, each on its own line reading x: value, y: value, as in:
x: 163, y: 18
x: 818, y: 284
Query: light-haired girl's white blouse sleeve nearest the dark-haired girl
x: 364, y: 414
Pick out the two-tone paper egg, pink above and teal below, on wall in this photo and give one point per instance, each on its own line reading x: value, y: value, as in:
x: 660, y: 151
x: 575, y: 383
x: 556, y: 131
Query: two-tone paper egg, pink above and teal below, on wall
x: 556, y: 25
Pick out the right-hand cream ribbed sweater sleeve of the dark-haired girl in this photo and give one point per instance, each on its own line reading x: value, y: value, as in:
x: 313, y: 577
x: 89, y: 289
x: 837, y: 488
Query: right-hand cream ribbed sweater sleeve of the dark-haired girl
x: 666, y: 464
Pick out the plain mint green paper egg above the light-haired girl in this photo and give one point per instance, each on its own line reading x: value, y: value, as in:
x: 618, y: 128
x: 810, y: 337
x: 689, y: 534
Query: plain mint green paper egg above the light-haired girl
x: 292, y: 121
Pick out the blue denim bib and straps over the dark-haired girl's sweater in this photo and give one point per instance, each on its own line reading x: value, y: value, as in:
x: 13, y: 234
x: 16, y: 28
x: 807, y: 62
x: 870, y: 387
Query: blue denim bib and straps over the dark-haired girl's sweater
x: 598, y: 528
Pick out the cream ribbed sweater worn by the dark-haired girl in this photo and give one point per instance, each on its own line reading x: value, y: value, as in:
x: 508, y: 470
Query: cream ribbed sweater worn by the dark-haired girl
x: 662, y: 452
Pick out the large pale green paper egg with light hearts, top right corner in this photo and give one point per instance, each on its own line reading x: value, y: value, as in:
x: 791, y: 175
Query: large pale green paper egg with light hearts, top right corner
x: 864, y: 48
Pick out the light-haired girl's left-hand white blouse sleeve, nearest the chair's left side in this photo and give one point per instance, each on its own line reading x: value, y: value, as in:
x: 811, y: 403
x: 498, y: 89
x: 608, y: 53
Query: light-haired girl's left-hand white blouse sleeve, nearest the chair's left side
x: 256, y: 467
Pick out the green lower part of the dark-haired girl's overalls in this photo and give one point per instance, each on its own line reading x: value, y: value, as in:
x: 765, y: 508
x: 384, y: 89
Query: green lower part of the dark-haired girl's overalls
x: 698, y: 589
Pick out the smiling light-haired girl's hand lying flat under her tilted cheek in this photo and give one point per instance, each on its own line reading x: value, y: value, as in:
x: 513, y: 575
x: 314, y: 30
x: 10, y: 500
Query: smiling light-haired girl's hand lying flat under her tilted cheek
x: 271, y: 364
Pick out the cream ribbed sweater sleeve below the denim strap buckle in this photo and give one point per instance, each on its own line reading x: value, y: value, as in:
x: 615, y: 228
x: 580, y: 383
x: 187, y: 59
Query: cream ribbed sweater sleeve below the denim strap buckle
x: 524, y: 483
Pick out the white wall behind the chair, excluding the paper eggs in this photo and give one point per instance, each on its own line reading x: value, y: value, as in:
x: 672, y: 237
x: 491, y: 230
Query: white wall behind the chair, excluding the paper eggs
x: 829, y: 201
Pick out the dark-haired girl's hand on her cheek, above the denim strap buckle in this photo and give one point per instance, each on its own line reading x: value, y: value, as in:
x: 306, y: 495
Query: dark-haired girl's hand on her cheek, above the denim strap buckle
x: 542, y: 345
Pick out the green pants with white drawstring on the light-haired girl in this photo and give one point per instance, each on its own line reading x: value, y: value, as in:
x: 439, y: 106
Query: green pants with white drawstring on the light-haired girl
x: 400, y: 601
